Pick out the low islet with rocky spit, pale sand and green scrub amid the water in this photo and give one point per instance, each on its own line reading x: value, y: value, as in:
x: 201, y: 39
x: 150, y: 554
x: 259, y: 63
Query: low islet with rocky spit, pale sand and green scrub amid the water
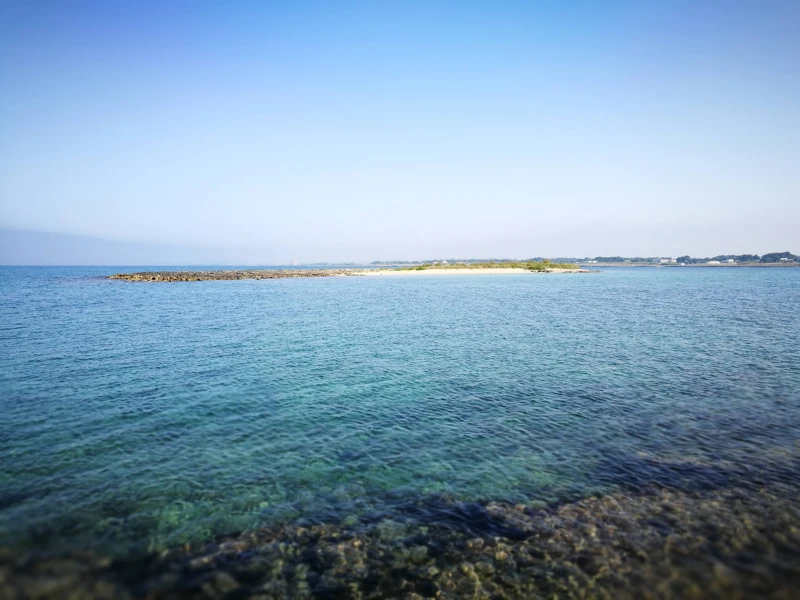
x: 435, y: 268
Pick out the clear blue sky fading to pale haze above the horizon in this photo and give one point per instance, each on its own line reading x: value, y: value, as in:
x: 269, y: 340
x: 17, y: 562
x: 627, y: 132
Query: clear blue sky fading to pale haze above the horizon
x: 269, y: 132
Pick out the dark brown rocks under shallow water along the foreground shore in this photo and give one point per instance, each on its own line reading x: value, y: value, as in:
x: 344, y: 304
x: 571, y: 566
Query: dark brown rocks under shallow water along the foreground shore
x: 656, y: 544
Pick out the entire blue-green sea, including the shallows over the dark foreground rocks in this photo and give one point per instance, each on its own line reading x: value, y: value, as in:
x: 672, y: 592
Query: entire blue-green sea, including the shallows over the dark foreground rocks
x: 141, y: 420
